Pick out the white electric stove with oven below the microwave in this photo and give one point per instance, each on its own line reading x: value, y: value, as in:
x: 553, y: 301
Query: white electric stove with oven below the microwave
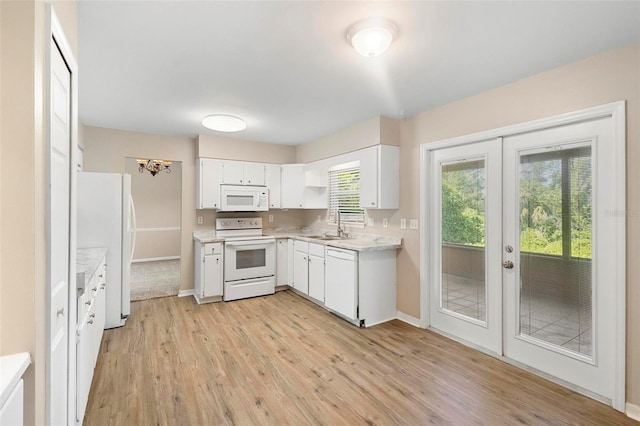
x: 249, y: 258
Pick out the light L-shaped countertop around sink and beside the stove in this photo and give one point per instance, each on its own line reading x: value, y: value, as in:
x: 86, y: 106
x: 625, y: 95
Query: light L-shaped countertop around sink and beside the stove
x: 357, y: 242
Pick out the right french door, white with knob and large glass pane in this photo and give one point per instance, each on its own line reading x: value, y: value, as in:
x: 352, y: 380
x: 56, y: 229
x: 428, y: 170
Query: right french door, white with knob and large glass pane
x: 560, y: 313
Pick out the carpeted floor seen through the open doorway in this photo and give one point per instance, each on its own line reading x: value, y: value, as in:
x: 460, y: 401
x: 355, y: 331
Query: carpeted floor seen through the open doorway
x: 155, y: 279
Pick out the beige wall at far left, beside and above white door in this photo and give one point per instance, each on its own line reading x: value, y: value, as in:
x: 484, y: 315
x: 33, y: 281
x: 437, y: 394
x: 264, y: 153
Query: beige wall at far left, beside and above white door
x: 24, y: 38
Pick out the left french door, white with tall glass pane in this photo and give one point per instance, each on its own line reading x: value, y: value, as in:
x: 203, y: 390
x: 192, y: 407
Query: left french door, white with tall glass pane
x: 465, y: 240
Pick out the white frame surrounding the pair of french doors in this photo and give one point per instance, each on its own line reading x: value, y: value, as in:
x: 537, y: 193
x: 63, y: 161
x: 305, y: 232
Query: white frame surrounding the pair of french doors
x: 615, y: 110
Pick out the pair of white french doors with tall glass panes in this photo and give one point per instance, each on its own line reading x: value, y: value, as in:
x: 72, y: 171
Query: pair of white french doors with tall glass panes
x: 524, y: 250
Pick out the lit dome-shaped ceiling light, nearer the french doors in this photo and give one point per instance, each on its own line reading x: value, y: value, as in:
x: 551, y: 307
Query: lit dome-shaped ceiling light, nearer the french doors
x: 371, y: 37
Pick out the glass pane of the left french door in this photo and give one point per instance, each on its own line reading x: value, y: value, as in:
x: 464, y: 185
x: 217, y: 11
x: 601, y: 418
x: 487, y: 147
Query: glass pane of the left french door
x: 463, y: 239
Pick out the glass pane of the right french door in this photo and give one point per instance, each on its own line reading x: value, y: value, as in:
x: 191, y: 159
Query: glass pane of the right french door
x: 555, y: 248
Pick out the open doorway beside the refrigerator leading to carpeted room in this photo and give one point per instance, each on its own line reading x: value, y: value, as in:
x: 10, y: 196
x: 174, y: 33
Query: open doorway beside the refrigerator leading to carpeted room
x: 155, y: 267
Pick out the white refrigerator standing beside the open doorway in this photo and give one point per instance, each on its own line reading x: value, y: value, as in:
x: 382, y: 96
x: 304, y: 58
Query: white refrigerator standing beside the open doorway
x: 106, y: 218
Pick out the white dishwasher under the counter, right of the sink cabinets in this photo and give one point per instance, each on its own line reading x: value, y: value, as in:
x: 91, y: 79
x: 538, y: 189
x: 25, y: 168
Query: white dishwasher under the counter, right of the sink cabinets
x: 341, y: 282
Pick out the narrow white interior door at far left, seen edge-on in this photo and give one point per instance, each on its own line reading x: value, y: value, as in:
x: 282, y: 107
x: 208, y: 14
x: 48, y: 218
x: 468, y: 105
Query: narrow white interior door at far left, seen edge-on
x: 58, y: 238
